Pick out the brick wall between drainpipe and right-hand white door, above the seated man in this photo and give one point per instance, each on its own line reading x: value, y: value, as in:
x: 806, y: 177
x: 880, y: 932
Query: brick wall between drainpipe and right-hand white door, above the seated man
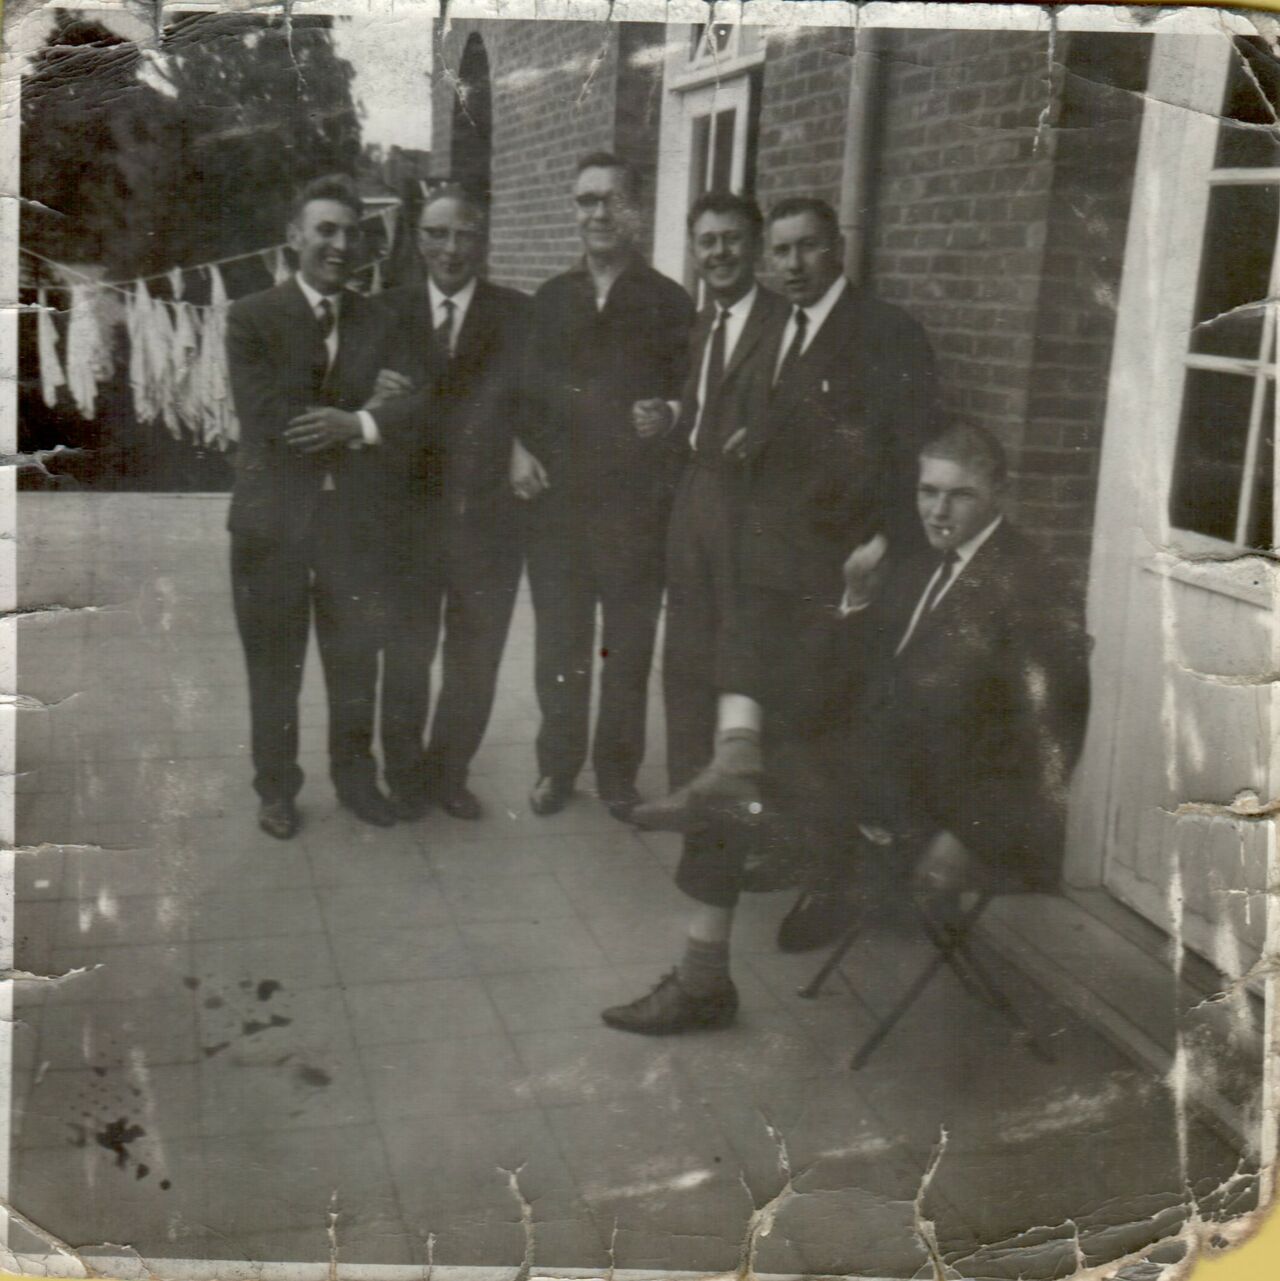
x: 1000, y: 224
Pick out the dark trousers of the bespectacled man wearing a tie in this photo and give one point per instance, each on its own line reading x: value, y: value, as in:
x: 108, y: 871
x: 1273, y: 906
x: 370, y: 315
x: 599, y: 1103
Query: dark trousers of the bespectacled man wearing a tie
x: 459, y: 575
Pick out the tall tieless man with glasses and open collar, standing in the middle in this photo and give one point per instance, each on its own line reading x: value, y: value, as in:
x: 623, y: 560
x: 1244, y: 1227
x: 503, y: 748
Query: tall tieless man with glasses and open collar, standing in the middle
x: 609, y: 347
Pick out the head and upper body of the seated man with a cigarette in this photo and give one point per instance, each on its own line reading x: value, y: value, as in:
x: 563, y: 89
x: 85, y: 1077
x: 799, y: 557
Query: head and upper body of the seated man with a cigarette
x: 977, y: 687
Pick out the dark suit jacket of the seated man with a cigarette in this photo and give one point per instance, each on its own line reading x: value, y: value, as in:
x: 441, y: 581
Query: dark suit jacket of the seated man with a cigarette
x: 977, y: 724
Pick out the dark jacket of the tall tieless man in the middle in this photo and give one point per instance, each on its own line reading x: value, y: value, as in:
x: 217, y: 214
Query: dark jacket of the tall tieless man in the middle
x: 585, y: 370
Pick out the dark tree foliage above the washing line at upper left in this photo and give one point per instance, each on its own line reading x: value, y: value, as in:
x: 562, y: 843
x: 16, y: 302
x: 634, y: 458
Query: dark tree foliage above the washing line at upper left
x: 144, y: 159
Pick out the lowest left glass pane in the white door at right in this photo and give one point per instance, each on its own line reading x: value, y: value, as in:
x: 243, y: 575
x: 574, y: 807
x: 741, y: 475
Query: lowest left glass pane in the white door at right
x: 1210, y: 461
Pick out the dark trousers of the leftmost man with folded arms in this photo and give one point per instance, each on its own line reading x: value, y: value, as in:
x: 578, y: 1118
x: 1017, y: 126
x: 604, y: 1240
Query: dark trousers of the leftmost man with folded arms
x: 276, y: 586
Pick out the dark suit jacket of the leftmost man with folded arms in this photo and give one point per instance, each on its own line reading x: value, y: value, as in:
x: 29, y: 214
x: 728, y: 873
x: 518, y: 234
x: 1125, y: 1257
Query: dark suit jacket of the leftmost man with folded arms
x: 277, y: 364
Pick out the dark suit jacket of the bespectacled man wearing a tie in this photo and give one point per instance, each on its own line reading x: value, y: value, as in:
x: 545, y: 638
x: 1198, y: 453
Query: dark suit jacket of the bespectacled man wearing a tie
x: 458, y: 427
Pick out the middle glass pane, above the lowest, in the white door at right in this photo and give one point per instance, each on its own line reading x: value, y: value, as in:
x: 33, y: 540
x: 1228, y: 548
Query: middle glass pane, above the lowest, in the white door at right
x: 1240, y: 243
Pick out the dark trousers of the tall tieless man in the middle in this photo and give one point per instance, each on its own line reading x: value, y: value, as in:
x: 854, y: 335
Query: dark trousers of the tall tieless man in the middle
x: 578, y: 562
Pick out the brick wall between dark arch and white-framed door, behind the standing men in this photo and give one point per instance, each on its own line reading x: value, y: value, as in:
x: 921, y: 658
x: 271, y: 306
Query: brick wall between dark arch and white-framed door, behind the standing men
x: 561, y: 90
